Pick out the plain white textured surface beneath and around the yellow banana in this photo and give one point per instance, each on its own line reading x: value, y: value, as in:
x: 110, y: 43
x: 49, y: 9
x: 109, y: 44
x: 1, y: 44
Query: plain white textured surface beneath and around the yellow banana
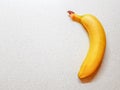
x: 42, y: 49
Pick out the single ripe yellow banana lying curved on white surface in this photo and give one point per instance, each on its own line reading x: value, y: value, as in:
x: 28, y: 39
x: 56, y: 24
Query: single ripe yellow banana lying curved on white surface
x: 97, y: 43
